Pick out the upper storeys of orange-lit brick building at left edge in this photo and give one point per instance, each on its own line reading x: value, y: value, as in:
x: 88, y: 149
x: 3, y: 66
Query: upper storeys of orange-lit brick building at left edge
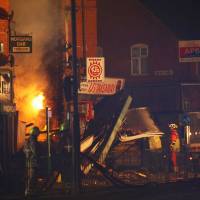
x: 6, y: 71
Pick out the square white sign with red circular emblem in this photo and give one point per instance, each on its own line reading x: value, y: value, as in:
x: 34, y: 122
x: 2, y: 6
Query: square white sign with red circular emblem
x: 95, y: 69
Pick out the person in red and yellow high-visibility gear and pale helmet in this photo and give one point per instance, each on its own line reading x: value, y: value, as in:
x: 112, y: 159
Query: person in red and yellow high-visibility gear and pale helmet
x: 174, y: 145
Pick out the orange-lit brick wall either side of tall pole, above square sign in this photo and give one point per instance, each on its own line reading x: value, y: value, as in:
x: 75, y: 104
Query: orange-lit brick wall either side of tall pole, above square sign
x: 86, y: 27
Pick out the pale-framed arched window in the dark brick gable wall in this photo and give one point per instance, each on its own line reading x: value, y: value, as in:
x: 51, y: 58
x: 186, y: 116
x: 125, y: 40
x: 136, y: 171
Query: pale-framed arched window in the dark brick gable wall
x: 139, y: 59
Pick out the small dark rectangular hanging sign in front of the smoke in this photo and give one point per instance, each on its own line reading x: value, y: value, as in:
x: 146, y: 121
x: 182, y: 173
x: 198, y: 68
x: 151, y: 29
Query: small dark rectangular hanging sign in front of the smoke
x: 21, y: 44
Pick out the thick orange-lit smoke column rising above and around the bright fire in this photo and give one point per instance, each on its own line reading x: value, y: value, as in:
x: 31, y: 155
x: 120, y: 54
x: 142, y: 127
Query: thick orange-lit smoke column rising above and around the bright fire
x: 38, y: 71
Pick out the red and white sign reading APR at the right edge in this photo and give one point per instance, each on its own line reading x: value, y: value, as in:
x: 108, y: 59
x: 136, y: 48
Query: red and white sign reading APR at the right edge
x: 189, y: 51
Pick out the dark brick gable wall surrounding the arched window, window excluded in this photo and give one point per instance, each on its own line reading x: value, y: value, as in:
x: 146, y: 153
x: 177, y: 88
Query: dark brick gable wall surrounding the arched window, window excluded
x: 121, y: 25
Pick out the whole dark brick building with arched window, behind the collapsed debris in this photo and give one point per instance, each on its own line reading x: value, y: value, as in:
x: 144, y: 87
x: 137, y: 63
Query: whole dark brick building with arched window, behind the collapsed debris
x: 140, y: 47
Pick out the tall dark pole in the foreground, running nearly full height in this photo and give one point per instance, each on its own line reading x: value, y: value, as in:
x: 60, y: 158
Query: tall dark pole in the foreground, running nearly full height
x: 76, y: 125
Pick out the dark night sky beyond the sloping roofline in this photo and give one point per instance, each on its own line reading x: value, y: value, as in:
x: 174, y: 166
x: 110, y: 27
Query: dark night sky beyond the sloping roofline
x: 182, y: 16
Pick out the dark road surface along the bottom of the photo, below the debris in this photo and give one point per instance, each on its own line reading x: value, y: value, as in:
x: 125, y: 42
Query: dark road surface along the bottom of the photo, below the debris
x: 181, y: 190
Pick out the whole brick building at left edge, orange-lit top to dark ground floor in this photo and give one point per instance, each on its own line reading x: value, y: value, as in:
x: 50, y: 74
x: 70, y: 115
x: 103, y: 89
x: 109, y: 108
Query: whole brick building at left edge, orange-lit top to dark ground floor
x: 8, y: 115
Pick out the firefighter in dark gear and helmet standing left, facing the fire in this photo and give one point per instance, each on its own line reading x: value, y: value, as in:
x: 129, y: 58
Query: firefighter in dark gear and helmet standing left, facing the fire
x: 31, y: 153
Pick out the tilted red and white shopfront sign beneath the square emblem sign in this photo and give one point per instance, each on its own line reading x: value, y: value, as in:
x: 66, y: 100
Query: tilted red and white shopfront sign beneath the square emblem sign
x: 108, y: 87
